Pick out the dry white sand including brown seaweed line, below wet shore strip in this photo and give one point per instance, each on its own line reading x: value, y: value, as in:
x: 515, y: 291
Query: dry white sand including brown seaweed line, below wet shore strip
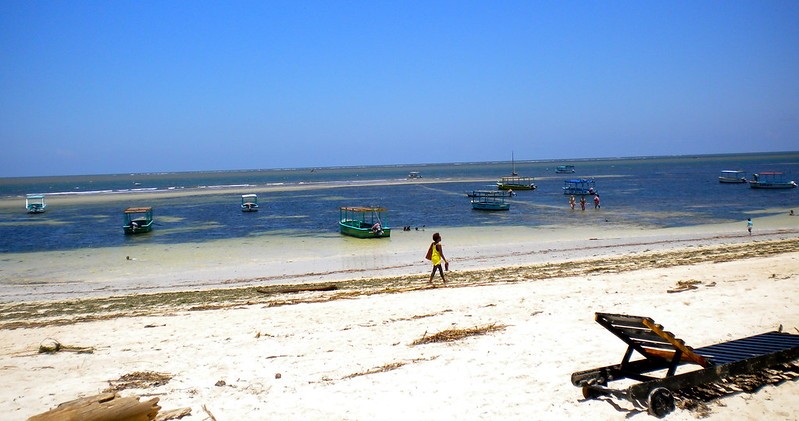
x: 348, y: 353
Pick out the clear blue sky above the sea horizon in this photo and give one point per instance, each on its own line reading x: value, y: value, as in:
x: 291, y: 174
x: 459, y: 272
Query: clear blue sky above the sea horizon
x: 139, y: 86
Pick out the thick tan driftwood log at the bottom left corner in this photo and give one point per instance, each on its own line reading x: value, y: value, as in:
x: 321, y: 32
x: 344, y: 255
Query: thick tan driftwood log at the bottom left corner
x: 102, y: 407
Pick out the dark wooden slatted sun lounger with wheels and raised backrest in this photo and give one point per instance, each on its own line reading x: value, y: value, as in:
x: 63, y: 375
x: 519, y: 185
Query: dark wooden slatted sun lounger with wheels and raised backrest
x: 664, y: 352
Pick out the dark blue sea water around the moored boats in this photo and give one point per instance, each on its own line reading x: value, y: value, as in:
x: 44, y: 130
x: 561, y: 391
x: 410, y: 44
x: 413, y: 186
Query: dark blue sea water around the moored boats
x: 646, y: 192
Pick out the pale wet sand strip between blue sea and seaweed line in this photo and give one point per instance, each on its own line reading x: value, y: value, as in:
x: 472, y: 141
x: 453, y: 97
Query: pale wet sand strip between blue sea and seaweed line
x: 274, y: 259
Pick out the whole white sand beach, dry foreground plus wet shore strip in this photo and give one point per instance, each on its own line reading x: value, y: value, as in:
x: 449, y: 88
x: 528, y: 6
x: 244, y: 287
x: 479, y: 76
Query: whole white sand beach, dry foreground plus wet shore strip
x: 330, y: 355
